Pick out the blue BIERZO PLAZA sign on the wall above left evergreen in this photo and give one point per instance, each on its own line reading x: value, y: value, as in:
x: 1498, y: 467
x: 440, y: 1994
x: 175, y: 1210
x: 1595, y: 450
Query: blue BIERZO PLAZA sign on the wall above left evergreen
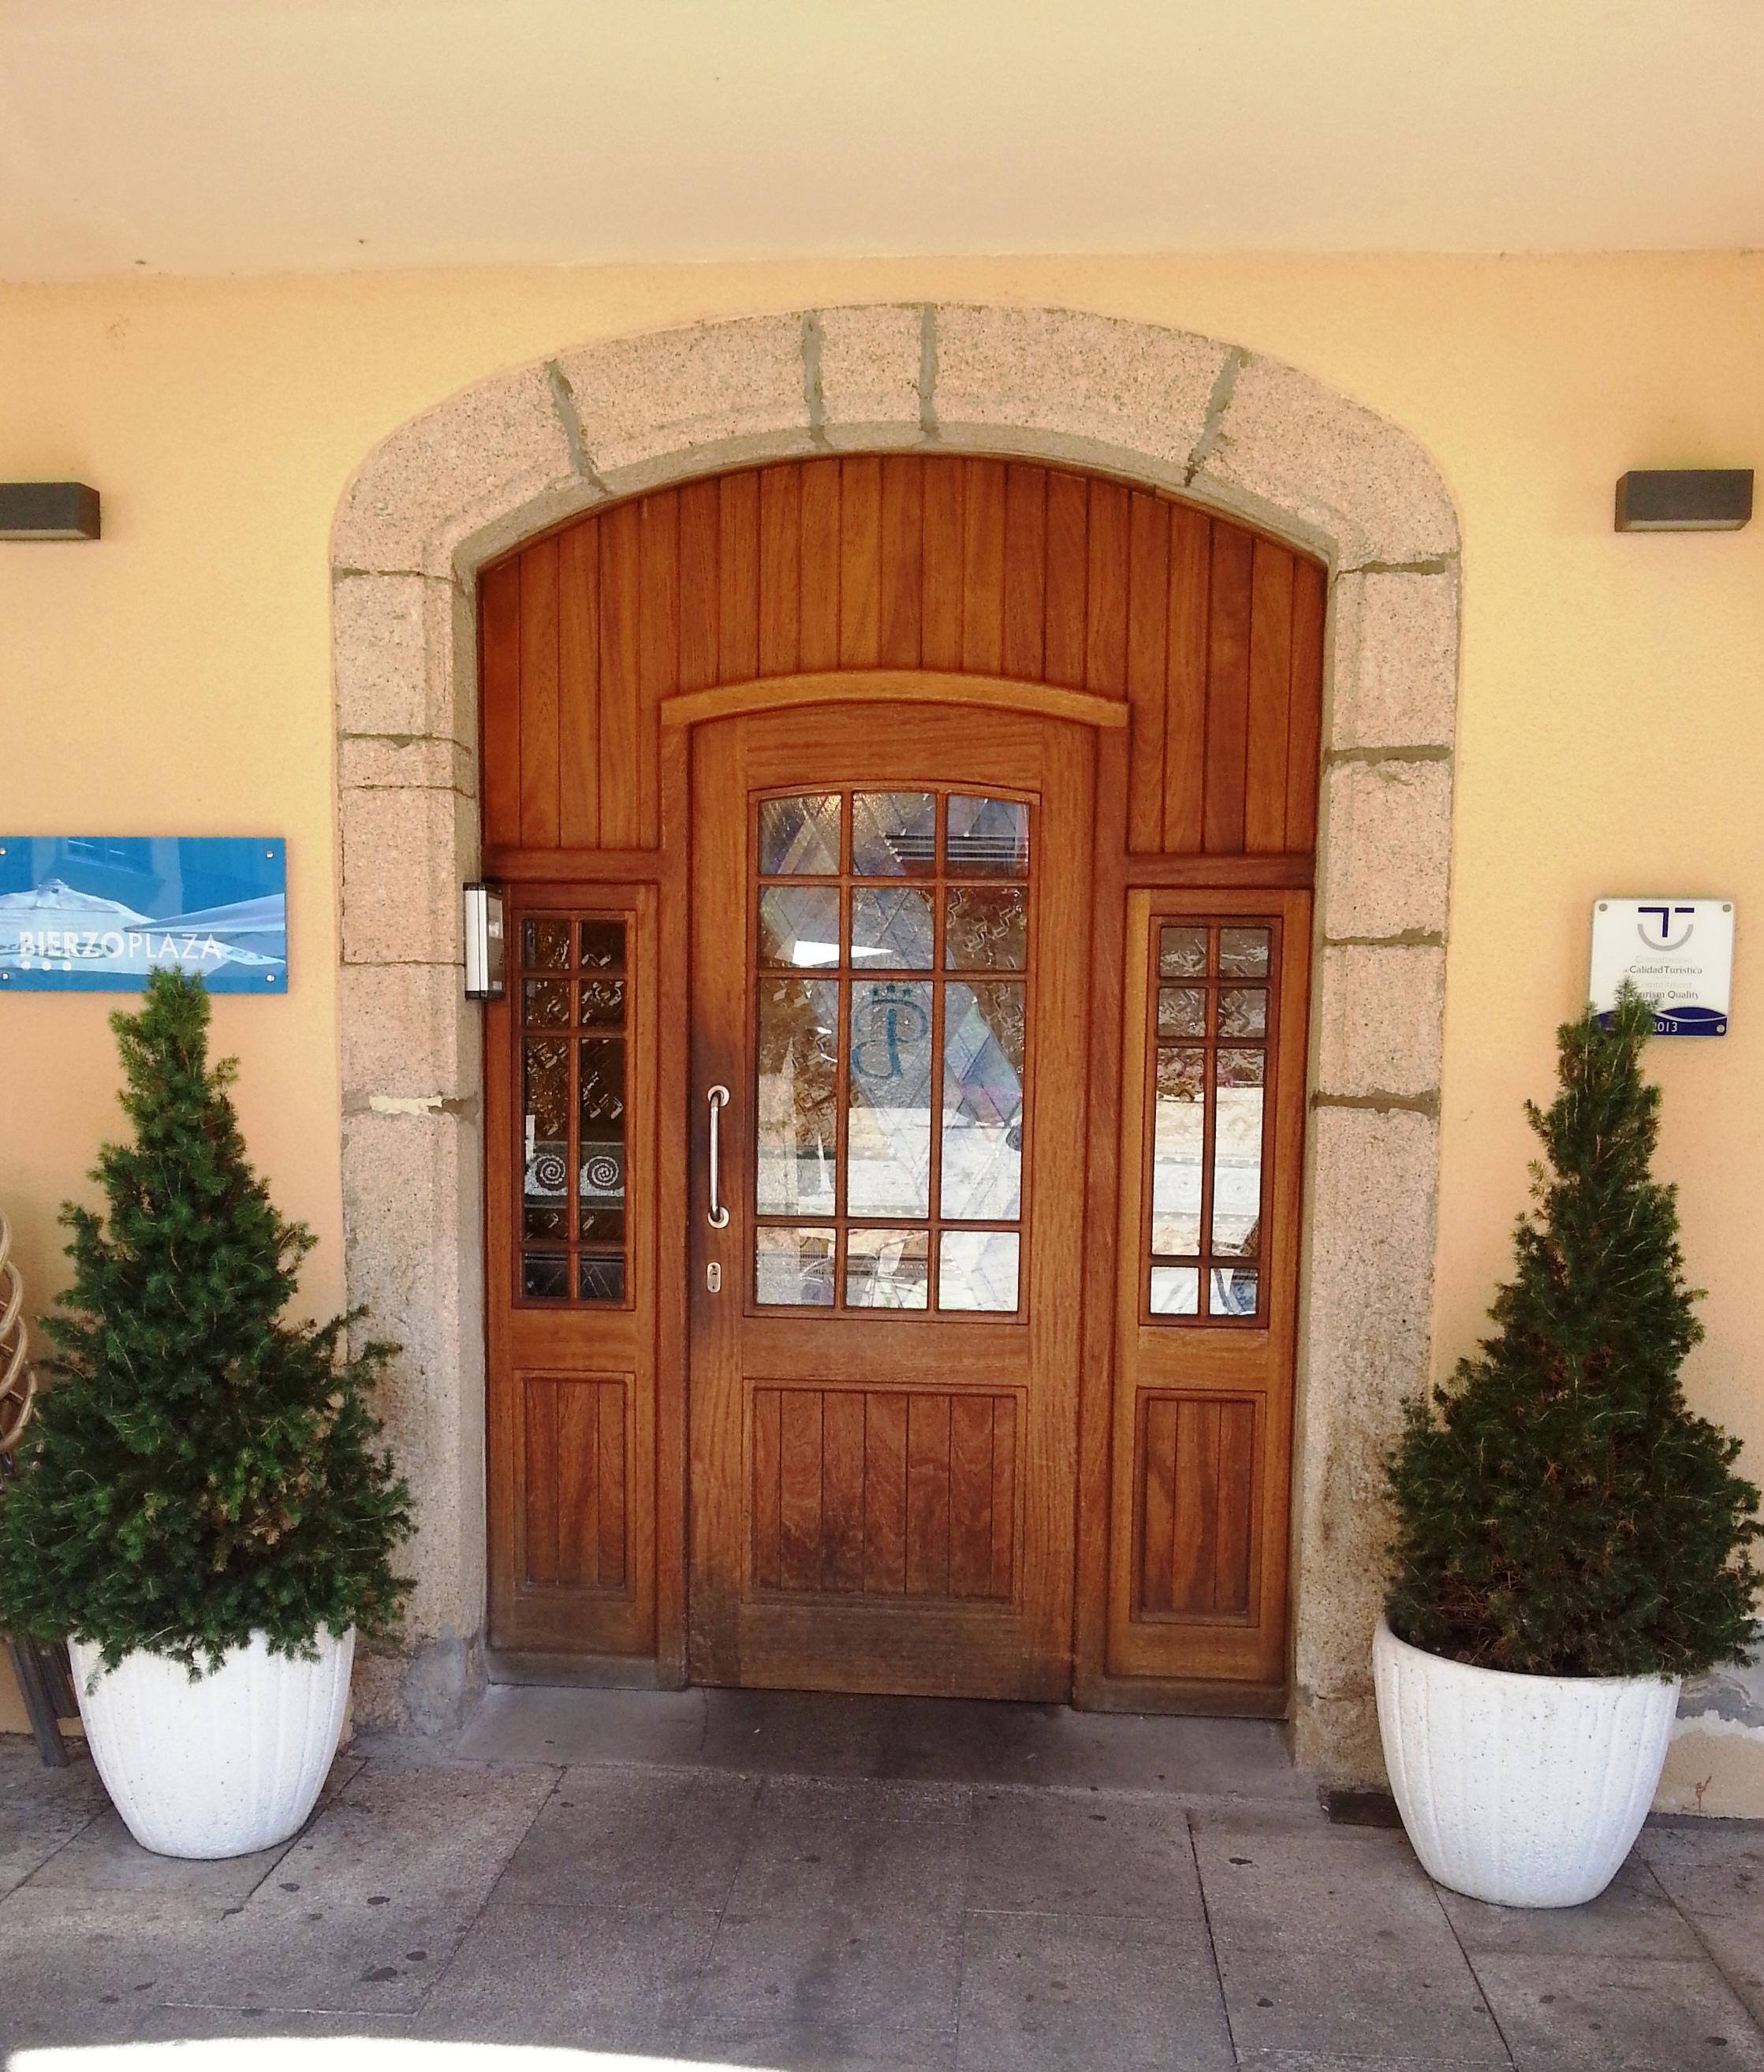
x: 101, y: 913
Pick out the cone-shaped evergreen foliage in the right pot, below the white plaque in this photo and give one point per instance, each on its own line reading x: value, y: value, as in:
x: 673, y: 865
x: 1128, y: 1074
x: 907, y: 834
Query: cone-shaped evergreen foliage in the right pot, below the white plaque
x: 1560, y: 1509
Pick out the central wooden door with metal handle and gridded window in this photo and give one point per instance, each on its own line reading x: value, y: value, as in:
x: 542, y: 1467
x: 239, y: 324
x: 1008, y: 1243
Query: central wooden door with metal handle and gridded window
x: 890, y: 913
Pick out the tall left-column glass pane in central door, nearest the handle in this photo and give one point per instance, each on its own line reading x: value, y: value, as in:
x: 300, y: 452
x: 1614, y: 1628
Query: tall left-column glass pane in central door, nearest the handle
x: 797, y: 1105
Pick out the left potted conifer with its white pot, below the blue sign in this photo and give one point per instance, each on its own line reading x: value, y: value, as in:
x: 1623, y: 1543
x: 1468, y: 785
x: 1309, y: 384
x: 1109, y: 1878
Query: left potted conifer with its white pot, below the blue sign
x: 200, y: 1507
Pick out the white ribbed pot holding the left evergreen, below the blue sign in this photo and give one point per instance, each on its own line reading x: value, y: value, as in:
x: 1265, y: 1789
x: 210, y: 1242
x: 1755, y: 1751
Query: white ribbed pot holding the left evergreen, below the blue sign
x: 221, y: 1766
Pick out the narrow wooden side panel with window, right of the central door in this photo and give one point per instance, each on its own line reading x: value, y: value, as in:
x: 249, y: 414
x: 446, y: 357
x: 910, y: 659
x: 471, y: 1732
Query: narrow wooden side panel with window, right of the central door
x: 1207, y: 1306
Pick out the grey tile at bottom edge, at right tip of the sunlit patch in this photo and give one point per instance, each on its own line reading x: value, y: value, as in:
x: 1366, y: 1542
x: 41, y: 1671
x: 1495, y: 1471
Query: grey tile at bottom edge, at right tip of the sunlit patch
x: 828, y: 1992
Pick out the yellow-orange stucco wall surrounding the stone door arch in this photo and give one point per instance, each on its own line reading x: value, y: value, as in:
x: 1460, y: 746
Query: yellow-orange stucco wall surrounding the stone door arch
x: 175, y: 679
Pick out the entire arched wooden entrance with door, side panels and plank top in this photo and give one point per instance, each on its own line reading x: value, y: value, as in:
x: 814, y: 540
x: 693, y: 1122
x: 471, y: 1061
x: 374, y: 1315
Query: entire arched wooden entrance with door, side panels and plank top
x: 948, y: 822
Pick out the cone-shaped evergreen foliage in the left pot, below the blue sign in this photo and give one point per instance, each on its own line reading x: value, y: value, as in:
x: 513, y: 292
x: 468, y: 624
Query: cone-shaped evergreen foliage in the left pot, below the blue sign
x: 200, y: 1468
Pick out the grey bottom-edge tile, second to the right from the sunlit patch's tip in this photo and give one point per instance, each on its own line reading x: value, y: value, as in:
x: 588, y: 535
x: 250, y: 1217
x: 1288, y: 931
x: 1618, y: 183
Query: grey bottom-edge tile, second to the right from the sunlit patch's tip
x: 1056, y: 1992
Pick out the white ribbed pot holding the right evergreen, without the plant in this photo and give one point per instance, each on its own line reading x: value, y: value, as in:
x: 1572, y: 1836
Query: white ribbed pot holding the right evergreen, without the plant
x: 1527, y: 1791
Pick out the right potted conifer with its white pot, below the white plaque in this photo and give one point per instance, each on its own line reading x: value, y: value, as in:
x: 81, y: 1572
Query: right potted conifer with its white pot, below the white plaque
x: 1572, y: 1543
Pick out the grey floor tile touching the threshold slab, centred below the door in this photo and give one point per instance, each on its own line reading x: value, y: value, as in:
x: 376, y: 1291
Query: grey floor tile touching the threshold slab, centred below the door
x: 849, y: 1849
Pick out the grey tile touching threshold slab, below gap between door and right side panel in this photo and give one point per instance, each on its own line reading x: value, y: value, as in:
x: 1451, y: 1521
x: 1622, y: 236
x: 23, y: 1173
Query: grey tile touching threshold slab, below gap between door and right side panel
x: 1081, y: 1853
